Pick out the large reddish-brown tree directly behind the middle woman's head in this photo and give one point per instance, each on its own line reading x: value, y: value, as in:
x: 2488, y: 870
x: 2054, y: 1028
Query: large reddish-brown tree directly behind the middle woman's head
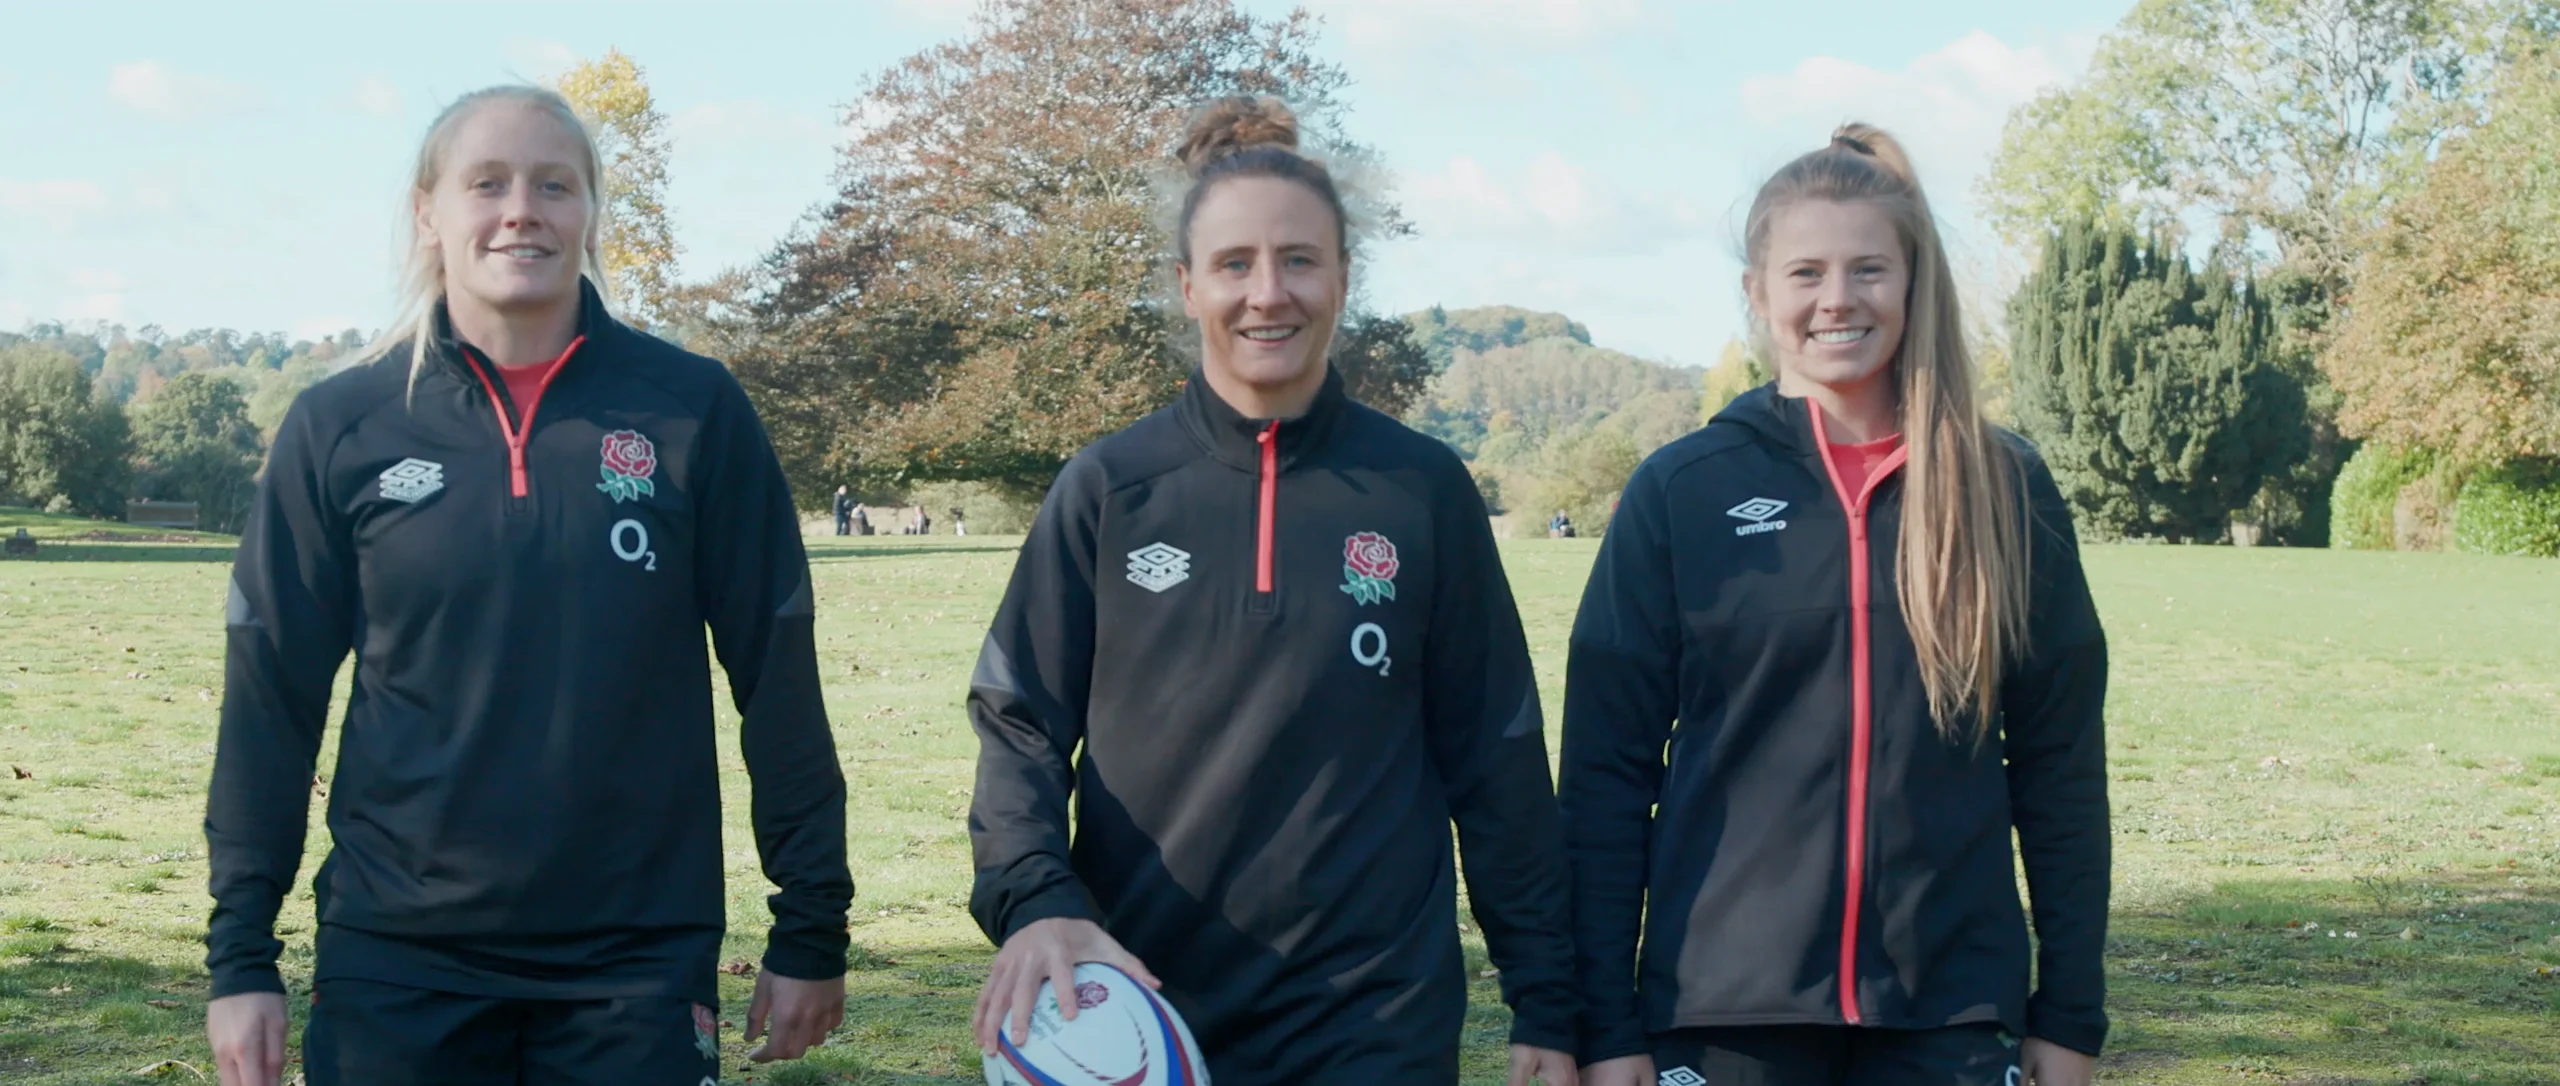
x: 989, y: 291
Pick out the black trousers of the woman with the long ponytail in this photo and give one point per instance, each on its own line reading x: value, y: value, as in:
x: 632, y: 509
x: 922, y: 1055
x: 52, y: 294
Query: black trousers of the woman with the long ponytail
x: 1837, y: 1057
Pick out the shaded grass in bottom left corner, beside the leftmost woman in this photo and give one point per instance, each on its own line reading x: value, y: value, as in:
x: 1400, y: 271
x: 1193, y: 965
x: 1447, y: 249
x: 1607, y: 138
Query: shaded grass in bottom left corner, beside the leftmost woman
x: 81, y: 1018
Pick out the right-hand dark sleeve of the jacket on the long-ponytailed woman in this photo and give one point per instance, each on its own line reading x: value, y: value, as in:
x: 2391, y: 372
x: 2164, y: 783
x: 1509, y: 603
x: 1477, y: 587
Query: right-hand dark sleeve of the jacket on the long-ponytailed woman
x: 2054, y: 731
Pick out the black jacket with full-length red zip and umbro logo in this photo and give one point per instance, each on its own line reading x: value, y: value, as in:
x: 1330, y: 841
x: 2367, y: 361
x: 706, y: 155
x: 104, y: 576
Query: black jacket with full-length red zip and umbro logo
x: 1742, y: 662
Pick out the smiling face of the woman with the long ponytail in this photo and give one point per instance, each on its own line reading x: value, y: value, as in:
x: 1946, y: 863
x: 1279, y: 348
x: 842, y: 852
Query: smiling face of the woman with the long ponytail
x: 1832, y: 286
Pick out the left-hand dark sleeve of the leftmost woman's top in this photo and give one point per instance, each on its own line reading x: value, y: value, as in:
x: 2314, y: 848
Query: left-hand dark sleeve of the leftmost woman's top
x: 288, y: 626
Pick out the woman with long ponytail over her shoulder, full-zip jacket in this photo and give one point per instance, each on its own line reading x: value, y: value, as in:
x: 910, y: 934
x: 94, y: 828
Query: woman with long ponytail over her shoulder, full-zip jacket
x: 1837, y: 649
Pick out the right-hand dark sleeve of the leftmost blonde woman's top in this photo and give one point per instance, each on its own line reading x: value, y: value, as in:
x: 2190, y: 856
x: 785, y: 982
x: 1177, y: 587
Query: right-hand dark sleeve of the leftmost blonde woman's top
x: 751, y: 583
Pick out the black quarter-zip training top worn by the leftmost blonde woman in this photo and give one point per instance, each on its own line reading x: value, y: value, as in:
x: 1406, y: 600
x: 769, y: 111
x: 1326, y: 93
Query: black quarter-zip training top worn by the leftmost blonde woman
x: 529, y: 772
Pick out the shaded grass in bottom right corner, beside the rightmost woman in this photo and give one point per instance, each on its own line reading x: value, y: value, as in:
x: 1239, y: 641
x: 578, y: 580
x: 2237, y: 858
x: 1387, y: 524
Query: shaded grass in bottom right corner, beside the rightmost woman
x: 2405, y: 980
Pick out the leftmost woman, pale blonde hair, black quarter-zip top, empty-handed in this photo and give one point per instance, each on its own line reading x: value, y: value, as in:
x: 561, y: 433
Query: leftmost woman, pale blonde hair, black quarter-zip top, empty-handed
x: 526, y: 834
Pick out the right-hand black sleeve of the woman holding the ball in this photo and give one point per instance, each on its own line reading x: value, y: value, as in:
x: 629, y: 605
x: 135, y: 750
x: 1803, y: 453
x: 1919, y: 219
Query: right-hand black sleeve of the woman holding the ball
x: 1489, y: 742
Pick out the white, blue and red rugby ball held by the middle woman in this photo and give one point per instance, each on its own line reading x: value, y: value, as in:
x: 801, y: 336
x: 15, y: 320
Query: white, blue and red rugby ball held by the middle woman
x: 1123, y: 1036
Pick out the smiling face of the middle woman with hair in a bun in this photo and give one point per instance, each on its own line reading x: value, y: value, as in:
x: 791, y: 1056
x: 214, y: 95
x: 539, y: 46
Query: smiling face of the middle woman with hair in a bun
x: 1266, y: 280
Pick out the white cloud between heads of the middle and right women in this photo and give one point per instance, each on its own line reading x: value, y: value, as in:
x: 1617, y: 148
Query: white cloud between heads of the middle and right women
x: 1553, y: 201
